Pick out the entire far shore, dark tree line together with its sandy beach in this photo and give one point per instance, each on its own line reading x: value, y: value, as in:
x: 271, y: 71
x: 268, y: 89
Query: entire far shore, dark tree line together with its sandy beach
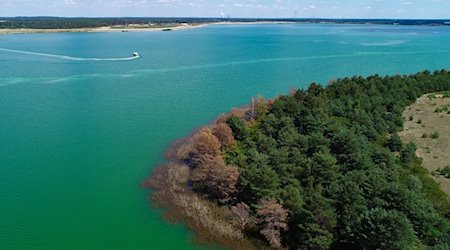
x: 24, y: 25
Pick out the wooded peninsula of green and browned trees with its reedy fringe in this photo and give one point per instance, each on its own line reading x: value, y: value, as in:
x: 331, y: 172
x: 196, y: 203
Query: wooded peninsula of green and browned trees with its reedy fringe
x: 319, y: 168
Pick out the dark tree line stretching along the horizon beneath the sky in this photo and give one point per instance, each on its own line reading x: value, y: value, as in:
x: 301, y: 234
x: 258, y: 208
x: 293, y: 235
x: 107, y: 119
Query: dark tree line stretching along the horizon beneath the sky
x: 78, y: 22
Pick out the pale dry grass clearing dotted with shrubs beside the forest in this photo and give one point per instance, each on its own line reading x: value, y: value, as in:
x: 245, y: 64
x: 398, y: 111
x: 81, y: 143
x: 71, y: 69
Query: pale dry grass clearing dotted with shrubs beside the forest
x: 421, y: 122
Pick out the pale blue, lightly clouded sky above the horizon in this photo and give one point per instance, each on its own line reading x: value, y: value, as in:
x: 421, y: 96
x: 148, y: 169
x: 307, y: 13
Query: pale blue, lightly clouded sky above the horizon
x: 216, y: 8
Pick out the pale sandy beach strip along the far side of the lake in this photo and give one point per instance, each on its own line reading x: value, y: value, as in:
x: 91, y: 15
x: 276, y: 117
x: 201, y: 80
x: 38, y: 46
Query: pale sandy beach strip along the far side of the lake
x: 130, y: 29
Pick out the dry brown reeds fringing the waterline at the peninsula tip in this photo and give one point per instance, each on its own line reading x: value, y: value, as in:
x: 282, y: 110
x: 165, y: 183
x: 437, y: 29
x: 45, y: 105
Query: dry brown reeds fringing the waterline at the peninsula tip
x: 211, y: 222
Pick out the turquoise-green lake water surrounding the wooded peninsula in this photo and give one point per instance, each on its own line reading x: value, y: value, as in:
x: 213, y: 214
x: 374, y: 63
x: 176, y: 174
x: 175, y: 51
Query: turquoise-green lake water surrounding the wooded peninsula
x: 78, y: 134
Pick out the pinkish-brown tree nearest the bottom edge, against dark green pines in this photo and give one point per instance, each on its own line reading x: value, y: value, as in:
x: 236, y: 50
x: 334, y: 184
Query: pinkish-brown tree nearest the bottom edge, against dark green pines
x: 272, y: 218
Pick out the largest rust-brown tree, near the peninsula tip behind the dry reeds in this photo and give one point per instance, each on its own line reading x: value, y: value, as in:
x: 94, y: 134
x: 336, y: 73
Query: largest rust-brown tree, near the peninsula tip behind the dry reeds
x: 215, y: 178
